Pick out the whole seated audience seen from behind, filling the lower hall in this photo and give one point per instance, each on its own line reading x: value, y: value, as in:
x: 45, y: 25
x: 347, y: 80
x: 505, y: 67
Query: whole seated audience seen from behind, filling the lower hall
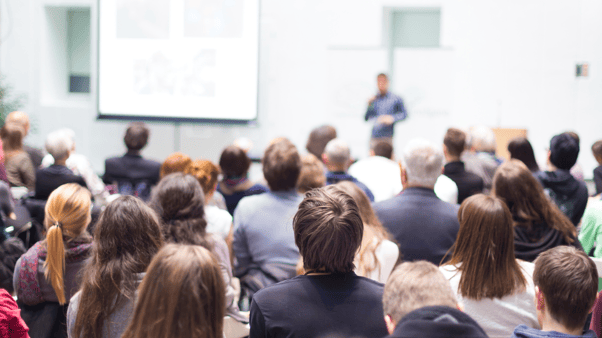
x: 444, y: 284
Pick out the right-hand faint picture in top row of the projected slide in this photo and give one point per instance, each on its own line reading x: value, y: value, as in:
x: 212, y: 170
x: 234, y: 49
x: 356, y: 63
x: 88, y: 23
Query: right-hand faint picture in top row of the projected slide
x: 213, y: 18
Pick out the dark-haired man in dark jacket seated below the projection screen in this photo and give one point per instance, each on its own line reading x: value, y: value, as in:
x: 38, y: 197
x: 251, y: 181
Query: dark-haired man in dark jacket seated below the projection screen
x: 133, y: 174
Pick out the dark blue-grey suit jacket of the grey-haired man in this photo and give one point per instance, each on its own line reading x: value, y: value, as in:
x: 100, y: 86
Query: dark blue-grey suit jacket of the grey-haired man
x: 424, y: 226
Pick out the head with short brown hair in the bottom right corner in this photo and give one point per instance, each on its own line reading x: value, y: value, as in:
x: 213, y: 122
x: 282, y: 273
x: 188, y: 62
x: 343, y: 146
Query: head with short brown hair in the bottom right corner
x: 566, y: 285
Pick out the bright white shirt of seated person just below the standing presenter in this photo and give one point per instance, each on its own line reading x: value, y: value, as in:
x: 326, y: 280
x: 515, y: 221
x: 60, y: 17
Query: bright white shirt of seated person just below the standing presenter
x: 380, y: 174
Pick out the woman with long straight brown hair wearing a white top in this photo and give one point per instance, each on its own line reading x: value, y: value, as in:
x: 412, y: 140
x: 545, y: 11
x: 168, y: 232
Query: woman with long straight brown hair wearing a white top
x: 495, y: 288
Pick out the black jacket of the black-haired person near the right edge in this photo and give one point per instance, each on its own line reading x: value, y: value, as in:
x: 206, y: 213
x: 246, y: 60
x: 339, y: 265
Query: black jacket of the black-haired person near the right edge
x: 569, y: 194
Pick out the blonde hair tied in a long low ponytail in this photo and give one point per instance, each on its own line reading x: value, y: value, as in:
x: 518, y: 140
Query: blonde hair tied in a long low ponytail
x: 67, y: 215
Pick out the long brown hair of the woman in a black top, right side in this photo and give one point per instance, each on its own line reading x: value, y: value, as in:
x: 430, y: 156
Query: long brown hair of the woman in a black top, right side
x: 514, y: 184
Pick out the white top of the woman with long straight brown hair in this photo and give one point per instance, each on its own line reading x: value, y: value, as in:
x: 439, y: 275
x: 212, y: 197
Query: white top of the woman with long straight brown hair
x: 499, y: 316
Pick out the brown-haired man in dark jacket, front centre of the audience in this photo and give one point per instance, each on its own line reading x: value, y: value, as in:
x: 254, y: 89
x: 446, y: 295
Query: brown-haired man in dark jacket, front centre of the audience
x: 330, y: 300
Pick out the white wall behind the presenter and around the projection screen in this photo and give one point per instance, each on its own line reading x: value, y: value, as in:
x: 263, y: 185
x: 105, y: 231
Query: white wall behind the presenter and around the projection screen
x: 505, y: 63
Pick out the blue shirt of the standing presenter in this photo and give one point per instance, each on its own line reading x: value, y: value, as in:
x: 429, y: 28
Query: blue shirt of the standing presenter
x: 388, y: 104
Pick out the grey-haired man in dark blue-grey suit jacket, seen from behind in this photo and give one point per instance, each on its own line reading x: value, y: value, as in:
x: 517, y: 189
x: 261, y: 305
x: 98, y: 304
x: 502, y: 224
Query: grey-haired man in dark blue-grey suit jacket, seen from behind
x: 424, y: 226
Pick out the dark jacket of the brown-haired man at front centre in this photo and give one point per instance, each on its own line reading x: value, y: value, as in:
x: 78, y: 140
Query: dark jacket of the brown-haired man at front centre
x: 333, y: 306
